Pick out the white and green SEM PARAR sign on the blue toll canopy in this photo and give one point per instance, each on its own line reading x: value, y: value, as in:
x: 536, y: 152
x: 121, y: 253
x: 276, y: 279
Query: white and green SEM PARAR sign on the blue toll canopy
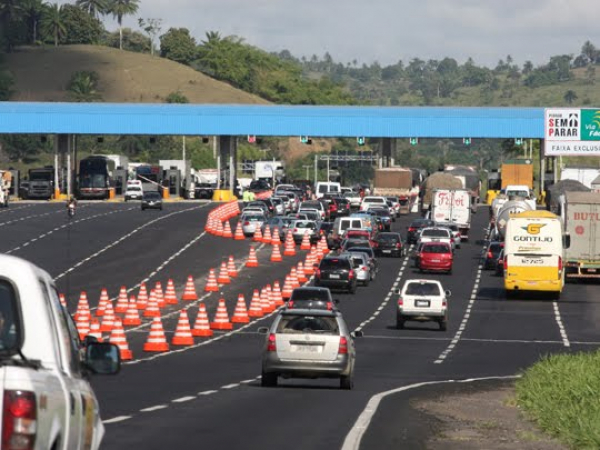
x: 572, y: 132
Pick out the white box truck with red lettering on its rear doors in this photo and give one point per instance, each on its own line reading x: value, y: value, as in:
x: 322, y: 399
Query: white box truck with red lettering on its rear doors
x: 453, y: 206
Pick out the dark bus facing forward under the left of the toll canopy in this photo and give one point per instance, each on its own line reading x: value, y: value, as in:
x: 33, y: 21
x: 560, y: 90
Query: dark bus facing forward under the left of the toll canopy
x: 95, y: 177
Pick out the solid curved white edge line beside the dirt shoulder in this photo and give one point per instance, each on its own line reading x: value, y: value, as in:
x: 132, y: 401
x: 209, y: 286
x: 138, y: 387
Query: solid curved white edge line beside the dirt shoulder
x: 354, y: 436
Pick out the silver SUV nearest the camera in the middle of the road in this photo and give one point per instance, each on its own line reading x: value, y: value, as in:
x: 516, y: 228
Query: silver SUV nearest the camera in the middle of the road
x: 308, y: 343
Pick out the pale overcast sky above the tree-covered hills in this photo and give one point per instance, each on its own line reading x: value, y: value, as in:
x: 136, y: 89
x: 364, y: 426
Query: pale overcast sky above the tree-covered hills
x: 390, y: 30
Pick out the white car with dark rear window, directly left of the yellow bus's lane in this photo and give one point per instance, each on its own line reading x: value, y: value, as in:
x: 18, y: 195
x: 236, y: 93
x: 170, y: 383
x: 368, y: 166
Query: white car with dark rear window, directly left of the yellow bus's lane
x: 422, y: 300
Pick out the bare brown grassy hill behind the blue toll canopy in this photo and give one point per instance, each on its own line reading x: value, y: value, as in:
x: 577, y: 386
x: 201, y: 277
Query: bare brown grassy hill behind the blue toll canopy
x: 42, y: 74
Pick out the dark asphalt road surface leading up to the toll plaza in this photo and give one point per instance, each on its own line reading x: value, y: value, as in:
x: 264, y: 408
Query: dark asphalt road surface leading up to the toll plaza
x: 209, y: 395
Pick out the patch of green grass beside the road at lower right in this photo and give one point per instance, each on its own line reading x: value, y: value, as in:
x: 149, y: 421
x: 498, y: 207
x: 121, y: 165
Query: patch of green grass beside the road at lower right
x: 561, y: 393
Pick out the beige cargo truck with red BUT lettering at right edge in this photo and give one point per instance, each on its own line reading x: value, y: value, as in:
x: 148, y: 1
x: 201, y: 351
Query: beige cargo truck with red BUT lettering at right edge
x: 580, y: 212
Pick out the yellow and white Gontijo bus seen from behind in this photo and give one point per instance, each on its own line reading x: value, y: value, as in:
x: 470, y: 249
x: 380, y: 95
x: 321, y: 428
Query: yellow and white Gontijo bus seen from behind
x: 534, y: 253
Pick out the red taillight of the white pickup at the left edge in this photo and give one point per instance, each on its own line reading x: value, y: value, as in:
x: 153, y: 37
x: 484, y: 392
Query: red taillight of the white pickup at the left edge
x: 19, y: 420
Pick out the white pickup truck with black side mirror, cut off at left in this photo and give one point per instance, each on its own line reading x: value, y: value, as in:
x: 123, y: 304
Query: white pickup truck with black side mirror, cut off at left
x: 47, y: 401
